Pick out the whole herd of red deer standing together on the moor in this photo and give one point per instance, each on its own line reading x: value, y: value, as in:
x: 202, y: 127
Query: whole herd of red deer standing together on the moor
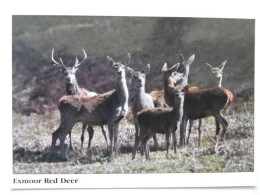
x: 163, y: 112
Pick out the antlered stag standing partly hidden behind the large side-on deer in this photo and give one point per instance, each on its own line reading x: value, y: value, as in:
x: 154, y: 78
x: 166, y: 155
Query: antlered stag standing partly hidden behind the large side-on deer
x: 72, y: 88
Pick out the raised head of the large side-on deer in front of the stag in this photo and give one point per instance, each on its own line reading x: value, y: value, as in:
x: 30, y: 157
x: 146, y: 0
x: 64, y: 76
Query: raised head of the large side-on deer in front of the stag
x: 119, y: 67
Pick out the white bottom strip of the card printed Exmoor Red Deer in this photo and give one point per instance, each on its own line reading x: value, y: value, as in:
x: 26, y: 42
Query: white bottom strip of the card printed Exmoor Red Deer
x: 174, y: 180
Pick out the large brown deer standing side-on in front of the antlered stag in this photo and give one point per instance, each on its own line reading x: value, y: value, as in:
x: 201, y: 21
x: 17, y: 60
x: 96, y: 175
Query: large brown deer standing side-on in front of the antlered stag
x: 103, y: 109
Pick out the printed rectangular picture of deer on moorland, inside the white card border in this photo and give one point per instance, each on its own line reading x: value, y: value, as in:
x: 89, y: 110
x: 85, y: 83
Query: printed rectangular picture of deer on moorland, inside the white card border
x: 132, y: 95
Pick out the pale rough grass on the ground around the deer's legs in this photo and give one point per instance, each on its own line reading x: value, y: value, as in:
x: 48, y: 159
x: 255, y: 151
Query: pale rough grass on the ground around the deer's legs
x: 32, y: 138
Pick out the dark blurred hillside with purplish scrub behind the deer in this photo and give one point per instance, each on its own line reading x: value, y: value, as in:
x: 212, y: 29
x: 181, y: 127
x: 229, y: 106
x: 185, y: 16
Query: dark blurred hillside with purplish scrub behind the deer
x: 37, y: 86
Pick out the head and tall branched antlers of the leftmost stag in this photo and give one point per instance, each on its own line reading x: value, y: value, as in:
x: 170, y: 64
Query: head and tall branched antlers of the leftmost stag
x: 68, y: 72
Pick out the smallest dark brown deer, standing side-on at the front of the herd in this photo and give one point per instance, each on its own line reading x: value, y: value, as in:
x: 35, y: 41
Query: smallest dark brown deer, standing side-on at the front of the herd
x: 160, y: 120
